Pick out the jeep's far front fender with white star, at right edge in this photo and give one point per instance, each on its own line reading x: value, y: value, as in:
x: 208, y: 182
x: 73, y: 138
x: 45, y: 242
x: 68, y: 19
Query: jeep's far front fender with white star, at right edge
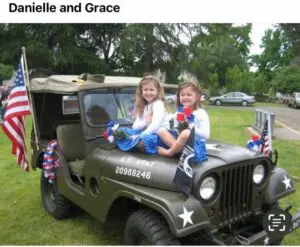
x: 279, y: 185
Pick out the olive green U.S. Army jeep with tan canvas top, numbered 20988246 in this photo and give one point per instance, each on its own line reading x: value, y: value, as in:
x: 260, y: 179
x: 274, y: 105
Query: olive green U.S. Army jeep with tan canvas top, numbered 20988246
x: 232, y: 191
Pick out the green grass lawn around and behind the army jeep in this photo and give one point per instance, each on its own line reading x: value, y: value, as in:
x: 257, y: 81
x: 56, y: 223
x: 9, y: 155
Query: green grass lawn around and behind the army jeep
x: 23, y: 220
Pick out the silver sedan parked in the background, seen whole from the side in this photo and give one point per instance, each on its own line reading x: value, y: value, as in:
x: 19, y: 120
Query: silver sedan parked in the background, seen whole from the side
x: 233, y: 98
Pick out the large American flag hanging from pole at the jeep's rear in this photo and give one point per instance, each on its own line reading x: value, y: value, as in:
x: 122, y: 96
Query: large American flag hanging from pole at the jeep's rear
x: 14, y: 119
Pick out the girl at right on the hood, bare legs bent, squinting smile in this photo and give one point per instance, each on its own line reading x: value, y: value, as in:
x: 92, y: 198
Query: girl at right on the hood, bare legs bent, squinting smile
x: 188, y: 96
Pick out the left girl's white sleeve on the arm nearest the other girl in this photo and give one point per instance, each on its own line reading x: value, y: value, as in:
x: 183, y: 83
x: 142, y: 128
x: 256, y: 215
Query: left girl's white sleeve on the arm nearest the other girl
x: 157, y: 117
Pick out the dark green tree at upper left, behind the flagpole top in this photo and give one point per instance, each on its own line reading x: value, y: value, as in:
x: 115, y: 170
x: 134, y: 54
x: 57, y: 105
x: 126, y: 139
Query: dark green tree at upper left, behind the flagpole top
x: 54, y: 46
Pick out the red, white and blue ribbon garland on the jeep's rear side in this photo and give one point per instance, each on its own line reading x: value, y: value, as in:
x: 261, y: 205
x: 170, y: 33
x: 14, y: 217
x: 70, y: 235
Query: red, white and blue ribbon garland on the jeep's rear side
x: 50, y: 162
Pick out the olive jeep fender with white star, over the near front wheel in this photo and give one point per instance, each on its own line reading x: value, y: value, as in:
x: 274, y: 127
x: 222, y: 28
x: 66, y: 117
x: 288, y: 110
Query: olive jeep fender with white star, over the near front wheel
x: 173, y: 206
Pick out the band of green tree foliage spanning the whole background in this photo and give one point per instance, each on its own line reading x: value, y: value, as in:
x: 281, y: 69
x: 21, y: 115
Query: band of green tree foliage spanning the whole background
x: 216, y: 54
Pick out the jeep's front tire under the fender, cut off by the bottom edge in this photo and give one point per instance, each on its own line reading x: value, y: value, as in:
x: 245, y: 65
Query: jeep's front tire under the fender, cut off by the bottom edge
x: 146, y: 227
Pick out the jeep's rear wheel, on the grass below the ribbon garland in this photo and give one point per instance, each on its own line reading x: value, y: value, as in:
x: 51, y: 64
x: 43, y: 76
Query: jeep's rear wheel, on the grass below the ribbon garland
x: 54, y: 203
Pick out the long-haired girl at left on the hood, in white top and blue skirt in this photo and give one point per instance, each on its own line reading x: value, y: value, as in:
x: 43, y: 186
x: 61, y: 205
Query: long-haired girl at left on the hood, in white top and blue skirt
x: 151, y: 114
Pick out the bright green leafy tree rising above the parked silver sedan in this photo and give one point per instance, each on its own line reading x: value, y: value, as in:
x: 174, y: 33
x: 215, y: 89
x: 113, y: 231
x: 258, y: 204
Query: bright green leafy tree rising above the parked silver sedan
x: 216, y: 48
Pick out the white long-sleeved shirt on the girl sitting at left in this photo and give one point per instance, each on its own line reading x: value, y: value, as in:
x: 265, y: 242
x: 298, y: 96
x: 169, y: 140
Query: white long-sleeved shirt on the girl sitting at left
x: 159, y: 118
